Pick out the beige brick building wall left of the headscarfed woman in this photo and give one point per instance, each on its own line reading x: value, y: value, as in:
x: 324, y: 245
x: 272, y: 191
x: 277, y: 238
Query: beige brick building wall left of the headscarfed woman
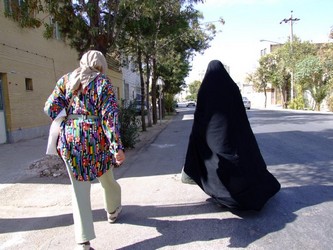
x: 24, y: 53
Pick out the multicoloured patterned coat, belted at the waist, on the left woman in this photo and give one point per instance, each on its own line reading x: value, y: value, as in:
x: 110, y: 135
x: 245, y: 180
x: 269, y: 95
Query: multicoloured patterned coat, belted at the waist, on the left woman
x: 87, y: 145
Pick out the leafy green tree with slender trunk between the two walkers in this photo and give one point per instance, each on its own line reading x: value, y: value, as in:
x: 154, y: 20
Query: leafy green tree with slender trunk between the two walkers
x: 166, y: 34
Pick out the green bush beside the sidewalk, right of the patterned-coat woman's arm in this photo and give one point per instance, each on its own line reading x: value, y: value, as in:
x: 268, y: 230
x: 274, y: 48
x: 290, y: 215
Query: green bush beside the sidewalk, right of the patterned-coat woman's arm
x: 129, y: 129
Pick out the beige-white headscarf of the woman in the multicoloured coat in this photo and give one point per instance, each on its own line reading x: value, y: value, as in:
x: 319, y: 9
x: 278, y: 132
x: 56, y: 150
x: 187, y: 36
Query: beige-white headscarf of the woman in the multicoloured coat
x: 92, y: 64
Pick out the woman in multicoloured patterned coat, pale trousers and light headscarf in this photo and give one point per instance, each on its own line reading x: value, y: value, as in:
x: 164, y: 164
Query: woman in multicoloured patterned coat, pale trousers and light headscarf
x: 89, y: 141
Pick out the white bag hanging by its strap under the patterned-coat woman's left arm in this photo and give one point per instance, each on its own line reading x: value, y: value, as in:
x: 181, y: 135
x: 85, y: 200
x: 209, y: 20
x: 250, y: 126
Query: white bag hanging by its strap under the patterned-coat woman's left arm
x: 51, y: 148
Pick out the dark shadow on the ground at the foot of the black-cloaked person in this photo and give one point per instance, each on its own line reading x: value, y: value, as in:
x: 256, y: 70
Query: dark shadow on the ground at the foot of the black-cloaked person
x: 246, y: 228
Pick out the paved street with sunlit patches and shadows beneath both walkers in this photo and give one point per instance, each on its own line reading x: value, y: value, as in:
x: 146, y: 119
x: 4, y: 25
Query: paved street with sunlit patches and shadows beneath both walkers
x: 160, y: 212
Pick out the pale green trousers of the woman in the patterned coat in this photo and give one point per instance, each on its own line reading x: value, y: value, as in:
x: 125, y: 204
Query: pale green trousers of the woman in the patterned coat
x: 82, y: 213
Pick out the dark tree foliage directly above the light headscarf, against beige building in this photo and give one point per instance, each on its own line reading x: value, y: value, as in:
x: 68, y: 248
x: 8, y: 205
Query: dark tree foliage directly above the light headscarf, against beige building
x: 84, y: 24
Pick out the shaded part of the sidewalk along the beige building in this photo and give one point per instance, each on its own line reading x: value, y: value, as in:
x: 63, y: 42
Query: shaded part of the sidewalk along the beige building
x: 29, y: 156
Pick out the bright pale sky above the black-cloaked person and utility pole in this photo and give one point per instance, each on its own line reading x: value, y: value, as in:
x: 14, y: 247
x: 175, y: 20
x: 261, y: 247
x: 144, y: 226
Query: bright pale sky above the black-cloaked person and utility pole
x: 247, y: 22
